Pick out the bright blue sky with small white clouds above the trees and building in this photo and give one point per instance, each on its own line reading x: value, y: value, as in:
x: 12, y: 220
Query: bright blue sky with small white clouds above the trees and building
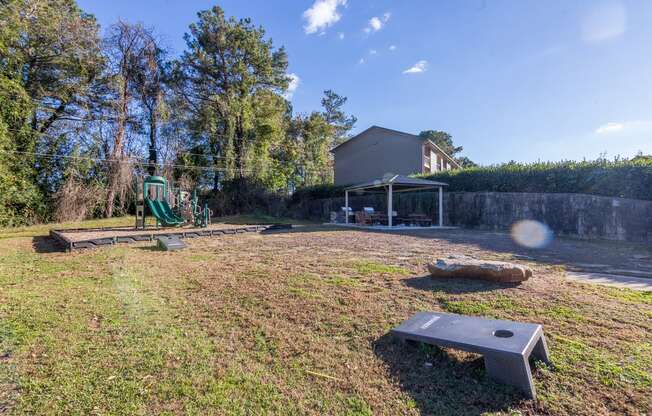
x: 510, y: 80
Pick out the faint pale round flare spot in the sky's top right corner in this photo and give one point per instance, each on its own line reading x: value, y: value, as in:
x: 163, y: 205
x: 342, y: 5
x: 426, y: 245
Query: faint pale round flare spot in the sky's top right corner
x: 605, y: 21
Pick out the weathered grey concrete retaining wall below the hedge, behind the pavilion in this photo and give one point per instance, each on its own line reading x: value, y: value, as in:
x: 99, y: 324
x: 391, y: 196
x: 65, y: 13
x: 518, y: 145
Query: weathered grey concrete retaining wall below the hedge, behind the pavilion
x: 579, y: 215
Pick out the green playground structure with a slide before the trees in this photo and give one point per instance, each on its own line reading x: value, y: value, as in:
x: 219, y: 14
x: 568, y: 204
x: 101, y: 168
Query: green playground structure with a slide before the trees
x: 171, y: 207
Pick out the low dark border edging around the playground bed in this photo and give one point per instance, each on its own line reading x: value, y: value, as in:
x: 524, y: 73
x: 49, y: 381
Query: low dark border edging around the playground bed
x: 69, y: 245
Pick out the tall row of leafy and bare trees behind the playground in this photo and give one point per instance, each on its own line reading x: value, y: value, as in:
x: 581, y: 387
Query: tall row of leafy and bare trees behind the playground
x: 81, y: 114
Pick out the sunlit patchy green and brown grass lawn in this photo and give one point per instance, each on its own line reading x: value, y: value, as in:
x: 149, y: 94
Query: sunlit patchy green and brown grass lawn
x: 296, y: 323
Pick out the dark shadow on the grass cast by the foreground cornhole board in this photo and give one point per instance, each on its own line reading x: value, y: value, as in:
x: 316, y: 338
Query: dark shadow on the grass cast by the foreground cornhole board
x: 439, y: 384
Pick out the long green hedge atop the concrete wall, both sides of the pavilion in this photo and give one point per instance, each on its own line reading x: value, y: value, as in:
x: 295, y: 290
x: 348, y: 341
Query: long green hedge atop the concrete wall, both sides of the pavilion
x: 620, y: 178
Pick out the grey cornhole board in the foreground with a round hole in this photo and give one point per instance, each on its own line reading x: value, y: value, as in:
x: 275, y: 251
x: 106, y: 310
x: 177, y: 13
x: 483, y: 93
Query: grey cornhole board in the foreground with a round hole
x: 505, y: 345
